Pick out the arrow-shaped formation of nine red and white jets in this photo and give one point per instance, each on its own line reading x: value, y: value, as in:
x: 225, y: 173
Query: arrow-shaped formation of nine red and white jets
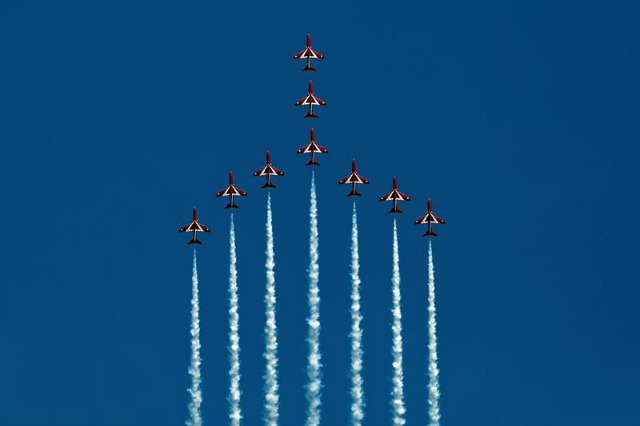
x: 312, y: 148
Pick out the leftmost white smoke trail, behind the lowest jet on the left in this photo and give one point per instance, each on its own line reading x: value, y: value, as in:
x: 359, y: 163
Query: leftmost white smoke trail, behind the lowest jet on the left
x: 194, y: 369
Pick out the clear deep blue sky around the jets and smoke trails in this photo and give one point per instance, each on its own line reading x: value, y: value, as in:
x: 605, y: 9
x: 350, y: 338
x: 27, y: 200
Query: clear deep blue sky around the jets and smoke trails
x: 519, y: 119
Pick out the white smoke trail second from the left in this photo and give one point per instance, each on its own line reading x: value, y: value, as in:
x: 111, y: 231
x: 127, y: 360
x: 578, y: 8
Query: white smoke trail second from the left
x: 235, y: 415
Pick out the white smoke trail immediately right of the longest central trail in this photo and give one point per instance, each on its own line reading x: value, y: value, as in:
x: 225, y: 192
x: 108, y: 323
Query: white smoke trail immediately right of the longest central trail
x: 357, y: 396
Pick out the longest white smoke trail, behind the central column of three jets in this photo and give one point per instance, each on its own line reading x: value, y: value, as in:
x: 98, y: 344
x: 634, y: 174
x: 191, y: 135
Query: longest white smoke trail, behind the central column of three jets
x: 314, y: 366
